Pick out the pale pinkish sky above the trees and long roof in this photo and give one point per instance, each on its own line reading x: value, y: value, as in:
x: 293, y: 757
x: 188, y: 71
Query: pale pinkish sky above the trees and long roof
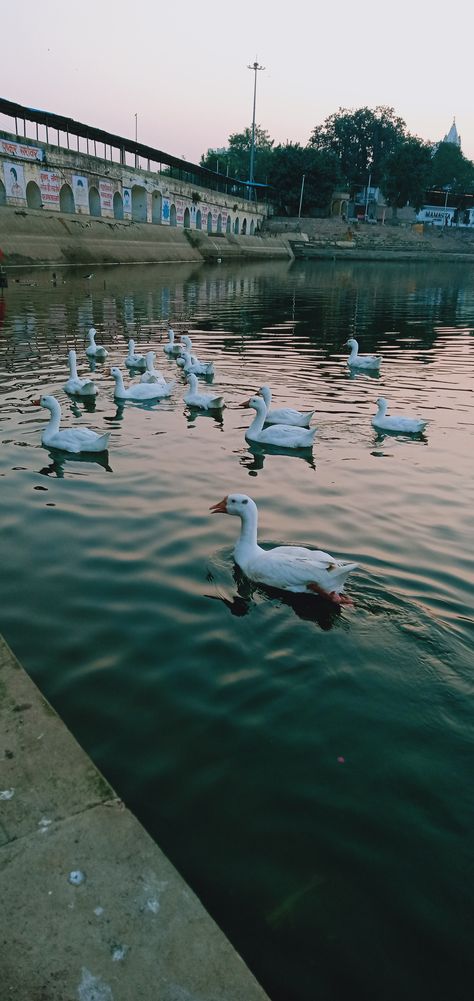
x: 183, y: 68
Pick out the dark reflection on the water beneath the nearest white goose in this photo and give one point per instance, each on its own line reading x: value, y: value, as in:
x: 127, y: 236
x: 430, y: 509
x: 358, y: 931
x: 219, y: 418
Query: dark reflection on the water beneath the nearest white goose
x: 309, y: 608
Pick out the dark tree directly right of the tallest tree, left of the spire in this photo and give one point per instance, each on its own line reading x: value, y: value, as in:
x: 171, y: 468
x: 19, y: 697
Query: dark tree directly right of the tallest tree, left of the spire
x: 406, y: 175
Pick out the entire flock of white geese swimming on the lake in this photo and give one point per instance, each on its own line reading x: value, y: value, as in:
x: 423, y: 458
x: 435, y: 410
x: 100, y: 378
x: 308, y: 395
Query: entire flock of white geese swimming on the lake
x: 288, y: 568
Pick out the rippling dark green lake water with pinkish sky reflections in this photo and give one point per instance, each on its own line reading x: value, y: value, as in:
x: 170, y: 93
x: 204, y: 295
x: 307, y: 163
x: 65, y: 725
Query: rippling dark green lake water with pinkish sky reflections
x: 308, y: 771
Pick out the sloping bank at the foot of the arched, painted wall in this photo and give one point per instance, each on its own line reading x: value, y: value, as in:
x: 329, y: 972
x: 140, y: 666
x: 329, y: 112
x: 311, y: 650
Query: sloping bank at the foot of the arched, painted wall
x: 29, y: 238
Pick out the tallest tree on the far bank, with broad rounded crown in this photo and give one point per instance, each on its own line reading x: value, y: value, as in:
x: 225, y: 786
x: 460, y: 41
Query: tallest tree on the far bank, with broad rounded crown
x: 361, y: 140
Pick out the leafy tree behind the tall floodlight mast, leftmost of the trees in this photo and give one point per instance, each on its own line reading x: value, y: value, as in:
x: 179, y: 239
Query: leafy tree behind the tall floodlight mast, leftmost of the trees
x: 235, y: 160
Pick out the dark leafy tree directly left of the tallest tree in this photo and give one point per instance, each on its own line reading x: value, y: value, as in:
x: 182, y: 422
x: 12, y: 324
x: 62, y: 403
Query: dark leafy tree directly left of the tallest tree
x: 288, y: 165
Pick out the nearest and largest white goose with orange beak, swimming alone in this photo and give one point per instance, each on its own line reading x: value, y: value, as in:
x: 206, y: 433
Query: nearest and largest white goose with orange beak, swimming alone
x: 291, y: 568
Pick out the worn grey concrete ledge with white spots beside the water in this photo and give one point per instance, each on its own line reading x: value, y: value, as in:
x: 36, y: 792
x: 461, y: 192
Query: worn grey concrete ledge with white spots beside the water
x: 91, y: 908
